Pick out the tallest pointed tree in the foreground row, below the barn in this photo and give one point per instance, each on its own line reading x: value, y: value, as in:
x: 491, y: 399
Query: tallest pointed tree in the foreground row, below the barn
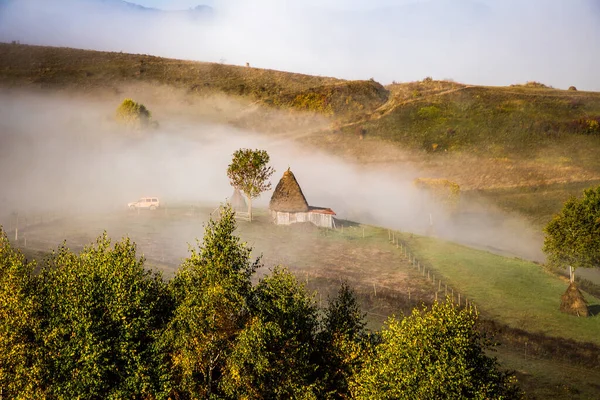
x: 211, y: 292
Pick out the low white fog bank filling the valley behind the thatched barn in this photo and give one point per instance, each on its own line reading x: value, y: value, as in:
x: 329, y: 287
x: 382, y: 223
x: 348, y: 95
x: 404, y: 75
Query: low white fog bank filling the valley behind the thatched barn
x: 65, y: 153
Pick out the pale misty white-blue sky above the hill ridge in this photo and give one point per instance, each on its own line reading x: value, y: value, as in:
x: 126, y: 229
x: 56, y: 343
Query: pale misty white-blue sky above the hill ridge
x: 488, y: 42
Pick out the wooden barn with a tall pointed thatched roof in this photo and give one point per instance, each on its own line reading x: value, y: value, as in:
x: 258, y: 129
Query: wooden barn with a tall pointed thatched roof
x: 288, y: 205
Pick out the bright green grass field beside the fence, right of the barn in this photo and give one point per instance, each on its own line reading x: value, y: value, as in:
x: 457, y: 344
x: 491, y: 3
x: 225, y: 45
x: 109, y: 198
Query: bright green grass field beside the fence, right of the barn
x: 517, y: 292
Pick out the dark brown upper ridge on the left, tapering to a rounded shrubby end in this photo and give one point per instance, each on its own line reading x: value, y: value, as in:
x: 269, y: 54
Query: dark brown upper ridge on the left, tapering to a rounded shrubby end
x: 59, y: 68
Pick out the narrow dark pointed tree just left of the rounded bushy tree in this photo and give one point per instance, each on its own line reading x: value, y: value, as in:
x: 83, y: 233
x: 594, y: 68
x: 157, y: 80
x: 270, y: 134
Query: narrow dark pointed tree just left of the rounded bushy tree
x: 341, y: 342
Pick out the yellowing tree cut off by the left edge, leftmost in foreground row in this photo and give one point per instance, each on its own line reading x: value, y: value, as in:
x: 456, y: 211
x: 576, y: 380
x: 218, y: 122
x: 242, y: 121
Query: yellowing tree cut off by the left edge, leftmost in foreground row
x: 20, y: 369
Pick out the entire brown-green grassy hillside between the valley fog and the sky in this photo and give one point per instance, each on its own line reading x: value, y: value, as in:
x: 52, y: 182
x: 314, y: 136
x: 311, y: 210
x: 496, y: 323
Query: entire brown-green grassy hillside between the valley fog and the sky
x: 526, y: 148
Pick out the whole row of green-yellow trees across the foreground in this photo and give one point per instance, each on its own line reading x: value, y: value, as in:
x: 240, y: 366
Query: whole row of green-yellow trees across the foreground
x: 98, y: 324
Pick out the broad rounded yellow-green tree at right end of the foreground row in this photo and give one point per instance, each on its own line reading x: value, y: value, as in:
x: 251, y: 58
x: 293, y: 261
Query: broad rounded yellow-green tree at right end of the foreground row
x: 433, y: 354
